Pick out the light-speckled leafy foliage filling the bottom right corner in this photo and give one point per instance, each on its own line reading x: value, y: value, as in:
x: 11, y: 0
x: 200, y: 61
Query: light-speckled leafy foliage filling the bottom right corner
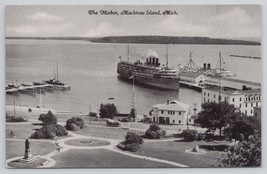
x: 244, y: 154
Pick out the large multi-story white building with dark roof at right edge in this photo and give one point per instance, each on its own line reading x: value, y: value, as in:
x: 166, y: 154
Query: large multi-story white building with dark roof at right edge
x: 245, y: 100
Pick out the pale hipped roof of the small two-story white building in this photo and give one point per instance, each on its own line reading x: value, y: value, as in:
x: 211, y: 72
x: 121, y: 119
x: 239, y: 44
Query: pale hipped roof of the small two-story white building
x: 173, y: 105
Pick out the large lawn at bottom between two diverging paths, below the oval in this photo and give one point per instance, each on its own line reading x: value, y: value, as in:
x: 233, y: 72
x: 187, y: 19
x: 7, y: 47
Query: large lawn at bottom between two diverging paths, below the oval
x: 101, y: 158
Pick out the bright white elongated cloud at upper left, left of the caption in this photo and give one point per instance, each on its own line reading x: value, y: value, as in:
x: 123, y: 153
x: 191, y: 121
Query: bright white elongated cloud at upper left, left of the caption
x: 42, y: 16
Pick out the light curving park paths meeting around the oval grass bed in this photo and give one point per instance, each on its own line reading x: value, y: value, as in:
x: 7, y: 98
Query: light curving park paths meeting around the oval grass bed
x: 112, y: 147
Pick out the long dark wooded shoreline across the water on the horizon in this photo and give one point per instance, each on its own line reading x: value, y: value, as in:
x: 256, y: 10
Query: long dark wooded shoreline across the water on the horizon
x: 151, y: 40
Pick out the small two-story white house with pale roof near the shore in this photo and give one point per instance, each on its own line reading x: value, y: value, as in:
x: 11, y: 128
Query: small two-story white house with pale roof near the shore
x: 172, y: 112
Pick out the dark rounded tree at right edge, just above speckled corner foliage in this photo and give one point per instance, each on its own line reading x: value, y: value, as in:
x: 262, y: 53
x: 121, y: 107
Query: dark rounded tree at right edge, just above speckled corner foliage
x: 242, y: 127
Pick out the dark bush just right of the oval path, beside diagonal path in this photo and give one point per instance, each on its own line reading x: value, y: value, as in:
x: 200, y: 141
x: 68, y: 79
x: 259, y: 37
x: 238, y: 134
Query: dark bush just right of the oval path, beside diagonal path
x: 132, y: 142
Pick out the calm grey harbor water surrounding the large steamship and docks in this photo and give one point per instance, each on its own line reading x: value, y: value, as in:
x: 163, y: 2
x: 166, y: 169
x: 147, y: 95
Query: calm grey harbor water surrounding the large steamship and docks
x: 90, y: 69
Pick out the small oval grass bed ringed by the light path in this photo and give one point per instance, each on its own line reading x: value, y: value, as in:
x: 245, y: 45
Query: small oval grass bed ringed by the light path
x: 87, y: 142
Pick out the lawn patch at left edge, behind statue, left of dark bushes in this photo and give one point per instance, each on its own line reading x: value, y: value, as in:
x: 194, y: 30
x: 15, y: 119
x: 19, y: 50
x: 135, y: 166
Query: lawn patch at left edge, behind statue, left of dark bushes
x: 20, y: 130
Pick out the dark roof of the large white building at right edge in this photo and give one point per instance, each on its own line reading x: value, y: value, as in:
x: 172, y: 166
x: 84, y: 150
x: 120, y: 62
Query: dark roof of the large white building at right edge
x: 227, y: 90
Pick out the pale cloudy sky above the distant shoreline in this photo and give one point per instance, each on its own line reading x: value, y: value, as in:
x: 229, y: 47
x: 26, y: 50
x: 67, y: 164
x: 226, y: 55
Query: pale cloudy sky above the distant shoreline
x: 219, y: 21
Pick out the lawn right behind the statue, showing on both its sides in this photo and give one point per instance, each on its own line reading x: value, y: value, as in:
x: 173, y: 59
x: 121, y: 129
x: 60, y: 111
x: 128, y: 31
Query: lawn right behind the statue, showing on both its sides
x: 16, y: 148
